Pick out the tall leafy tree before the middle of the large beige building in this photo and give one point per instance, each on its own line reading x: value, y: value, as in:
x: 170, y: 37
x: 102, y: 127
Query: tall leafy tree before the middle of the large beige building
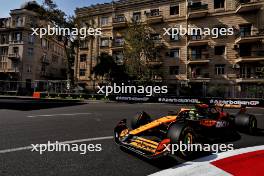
x: 140, y: 51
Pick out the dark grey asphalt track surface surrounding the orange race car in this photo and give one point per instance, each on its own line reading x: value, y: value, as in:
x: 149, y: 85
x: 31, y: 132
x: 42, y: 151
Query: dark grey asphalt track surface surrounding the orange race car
x: 21, y: 126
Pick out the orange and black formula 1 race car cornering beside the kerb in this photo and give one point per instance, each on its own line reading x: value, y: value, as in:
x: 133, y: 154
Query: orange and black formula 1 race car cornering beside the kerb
x: 202, y: 124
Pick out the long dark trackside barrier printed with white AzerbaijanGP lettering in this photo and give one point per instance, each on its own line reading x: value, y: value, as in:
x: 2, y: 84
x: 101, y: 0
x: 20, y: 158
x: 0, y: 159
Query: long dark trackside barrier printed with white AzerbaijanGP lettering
x: 187, y: 100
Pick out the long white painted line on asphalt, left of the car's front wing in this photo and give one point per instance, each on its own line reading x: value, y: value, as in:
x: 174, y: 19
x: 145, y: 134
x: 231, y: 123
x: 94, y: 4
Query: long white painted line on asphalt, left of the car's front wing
x: 63, y: 142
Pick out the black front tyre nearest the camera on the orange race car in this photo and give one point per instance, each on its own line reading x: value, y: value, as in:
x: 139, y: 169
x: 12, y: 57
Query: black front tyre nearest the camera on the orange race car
x: 178, y: 134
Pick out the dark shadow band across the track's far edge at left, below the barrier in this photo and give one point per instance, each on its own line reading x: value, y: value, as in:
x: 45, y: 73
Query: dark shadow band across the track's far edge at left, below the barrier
x: 29, y: 105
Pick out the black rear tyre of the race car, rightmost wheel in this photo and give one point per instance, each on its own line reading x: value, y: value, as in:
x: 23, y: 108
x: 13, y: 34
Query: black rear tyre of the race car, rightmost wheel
x: 246, y: 122
